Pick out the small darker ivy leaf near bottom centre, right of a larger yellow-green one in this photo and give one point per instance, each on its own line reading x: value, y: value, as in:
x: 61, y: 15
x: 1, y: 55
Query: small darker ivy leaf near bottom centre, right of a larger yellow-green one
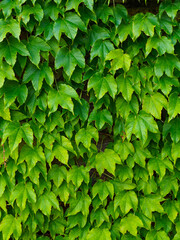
x: 100, y: 216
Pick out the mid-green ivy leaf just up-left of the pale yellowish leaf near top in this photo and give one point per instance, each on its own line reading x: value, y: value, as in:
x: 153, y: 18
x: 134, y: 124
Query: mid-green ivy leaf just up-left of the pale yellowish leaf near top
x: 101, y: 48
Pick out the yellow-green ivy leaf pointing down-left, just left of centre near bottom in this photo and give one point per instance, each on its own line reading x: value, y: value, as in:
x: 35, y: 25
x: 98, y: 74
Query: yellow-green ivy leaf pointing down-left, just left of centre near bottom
x: 80, y: 204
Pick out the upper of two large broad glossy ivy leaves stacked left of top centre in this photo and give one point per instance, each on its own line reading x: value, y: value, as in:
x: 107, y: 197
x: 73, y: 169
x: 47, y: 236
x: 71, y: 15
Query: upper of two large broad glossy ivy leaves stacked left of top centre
x: 68, y: 25
